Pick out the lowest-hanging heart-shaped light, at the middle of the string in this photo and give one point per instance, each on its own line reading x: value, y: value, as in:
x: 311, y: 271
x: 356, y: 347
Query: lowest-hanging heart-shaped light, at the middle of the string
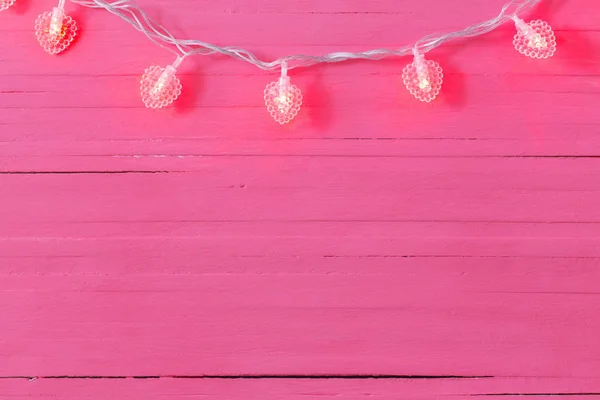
x: 283, y: 100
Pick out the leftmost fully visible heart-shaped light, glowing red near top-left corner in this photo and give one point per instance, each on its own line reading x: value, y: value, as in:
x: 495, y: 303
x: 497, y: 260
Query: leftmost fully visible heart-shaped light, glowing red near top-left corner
x: 54, y: 30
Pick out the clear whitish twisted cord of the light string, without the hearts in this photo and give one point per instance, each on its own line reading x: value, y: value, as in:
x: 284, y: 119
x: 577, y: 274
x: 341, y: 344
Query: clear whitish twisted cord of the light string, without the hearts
x: 137, y: 17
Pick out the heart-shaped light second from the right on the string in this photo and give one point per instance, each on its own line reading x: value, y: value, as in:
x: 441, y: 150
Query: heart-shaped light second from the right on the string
x: 423, y: 78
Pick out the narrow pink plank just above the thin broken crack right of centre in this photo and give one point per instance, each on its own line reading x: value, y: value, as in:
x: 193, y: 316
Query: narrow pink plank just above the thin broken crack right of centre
x: 195, y: 248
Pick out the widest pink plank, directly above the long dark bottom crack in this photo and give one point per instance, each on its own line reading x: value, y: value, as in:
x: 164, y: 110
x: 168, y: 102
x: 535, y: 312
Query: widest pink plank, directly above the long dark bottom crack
x: 522, y: 322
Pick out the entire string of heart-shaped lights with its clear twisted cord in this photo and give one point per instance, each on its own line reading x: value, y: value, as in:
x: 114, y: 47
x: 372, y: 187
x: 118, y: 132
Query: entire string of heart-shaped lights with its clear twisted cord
x: 160, y: 86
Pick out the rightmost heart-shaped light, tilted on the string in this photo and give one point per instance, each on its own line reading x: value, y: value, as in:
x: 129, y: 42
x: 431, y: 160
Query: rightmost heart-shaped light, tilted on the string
x: 534, y: 39
